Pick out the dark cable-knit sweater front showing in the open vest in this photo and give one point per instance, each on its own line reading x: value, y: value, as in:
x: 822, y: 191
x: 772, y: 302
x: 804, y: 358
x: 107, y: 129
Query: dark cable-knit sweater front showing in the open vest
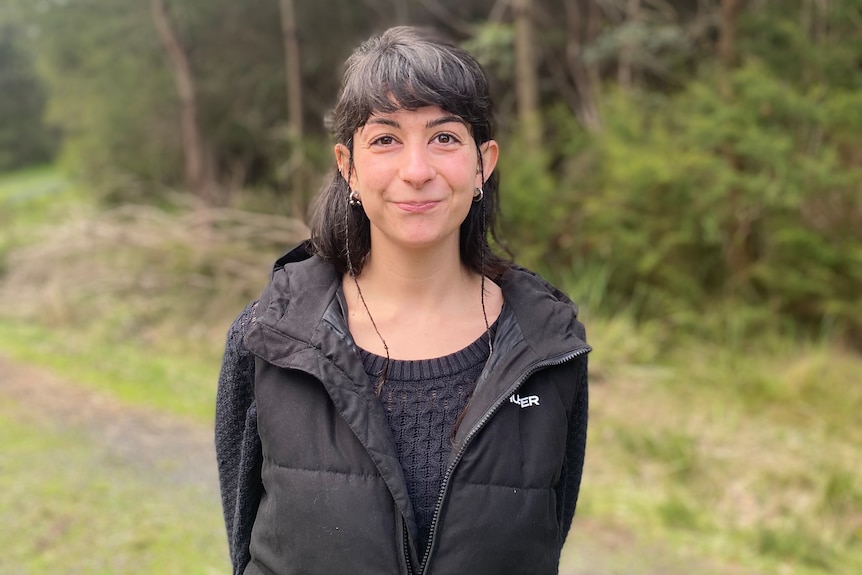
x: 423, y: 400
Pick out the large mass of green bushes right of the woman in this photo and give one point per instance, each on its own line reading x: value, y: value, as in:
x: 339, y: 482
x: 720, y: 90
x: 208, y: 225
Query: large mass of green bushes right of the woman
x: 739, y: 193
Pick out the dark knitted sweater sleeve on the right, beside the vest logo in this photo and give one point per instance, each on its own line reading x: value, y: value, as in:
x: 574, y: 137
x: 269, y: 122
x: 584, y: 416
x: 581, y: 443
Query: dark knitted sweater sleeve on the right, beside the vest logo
x: 573, y: 465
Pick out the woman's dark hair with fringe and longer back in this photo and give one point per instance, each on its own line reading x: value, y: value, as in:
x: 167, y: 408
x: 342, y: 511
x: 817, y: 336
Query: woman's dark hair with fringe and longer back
x: 406, y: 68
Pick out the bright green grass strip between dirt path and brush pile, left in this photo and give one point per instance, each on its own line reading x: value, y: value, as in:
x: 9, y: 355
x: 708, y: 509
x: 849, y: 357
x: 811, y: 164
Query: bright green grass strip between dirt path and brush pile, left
x: 182, y: 384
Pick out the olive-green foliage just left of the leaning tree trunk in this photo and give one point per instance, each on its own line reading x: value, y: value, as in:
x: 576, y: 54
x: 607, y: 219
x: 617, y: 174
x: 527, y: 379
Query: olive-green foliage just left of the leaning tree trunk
x: 112, y: 98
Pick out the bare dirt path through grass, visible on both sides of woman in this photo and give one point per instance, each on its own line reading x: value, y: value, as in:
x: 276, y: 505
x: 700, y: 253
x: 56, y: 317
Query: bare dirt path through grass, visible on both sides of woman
x: 183, y: 451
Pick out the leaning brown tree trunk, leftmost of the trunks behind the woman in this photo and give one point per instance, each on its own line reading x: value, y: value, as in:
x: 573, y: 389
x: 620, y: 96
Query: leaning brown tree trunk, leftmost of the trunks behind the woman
x: 196, y: 176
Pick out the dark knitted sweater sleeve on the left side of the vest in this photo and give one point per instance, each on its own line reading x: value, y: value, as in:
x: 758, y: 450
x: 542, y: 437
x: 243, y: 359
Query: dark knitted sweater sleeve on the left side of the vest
x: 238, y: 448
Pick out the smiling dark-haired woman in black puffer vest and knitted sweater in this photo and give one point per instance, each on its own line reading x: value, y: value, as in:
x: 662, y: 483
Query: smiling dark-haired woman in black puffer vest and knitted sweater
x: 400, y: 399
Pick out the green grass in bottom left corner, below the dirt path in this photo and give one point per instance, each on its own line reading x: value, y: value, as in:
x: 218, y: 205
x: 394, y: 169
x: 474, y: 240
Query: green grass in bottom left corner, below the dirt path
x: 66, y: 506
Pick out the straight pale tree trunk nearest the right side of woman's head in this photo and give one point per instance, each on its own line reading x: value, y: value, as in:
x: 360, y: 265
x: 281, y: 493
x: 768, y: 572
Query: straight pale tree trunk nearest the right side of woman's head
x: 526, y: 75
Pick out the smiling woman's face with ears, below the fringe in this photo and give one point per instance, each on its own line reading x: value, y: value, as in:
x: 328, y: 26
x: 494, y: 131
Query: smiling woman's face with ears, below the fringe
x: 416, y: 172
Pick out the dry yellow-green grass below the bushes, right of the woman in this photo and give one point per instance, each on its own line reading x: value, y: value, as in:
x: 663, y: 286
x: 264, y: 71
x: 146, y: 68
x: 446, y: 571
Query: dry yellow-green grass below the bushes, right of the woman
x: 748, y: 457
